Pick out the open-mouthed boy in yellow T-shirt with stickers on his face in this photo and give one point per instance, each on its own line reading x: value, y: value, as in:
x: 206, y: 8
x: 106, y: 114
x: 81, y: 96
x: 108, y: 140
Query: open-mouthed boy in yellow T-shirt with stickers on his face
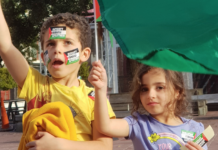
x: 65, y: 40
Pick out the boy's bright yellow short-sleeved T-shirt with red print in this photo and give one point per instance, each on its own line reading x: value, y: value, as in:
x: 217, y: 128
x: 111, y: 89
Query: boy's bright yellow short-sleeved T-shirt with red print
x: 39, y: 90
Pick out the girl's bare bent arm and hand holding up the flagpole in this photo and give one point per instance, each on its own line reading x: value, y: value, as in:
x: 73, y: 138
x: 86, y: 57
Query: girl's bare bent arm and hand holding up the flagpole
x: 105, y: 125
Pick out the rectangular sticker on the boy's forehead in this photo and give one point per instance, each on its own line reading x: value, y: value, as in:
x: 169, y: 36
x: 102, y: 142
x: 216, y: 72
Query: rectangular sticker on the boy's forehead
x: 57, y: 33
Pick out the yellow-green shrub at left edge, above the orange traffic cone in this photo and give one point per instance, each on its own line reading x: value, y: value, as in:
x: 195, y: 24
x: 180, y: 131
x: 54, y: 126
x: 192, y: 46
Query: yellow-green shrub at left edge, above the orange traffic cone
x: 6, y: 80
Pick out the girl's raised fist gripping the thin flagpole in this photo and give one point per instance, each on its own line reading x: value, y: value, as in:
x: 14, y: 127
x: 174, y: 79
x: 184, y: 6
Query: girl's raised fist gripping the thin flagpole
x: 98, y: 76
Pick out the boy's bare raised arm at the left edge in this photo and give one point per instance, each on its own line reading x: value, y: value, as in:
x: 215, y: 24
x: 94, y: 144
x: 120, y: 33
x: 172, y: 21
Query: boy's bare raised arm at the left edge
x: 13, y: 59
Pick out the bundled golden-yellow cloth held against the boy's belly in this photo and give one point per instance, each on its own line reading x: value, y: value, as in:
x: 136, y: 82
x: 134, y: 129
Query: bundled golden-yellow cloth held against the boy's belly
x: 55, y: 118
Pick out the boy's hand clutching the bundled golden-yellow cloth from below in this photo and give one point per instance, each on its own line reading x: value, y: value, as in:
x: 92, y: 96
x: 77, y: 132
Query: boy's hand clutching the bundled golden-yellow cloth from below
x: 45, y: 141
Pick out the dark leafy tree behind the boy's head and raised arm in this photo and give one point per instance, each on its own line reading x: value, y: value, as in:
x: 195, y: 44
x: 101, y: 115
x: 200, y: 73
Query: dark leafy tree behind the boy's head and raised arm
x: 25, y: 18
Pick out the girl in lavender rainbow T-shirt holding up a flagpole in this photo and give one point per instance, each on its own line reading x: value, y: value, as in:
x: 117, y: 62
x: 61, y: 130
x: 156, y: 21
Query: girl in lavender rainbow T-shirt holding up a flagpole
x: 161, y: 94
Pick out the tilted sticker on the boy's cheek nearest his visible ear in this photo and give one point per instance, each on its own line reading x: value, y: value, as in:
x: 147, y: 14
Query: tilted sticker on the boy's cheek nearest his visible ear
x: 71, y: 56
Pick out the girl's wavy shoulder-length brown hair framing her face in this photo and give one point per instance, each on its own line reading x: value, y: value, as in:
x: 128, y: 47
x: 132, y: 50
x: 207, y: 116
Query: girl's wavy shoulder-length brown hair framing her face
x: 174, y: 81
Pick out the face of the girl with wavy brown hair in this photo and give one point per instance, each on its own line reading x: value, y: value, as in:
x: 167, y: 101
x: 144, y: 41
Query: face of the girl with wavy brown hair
x: 154, y: 94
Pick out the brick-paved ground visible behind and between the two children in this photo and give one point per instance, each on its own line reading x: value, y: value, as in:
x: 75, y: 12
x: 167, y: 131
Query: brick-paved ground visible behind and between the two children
x: 10, y: 140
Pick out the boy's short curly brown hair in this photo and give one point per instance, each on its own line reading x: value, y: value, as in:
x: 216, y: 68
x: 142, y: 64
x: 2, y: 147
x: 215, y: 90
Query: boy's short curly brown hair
x: 71, y: 21
